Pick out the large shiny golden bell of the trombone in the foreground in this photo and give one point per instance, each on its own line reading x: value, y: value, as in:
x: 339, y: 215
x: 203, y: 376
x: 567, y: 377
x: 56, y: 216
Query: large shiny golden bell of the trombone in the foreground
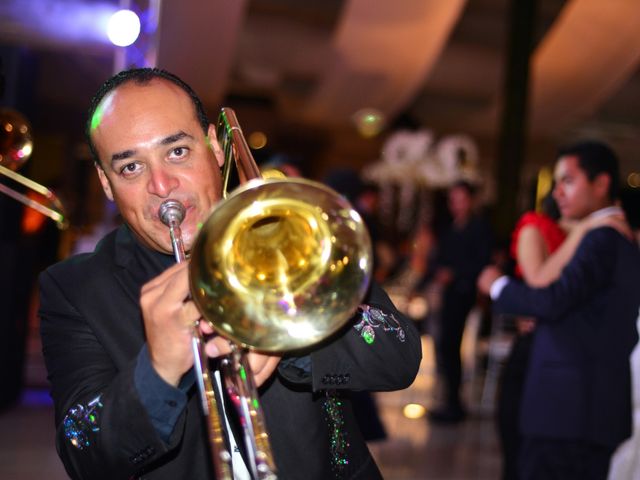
x: 280, y: 264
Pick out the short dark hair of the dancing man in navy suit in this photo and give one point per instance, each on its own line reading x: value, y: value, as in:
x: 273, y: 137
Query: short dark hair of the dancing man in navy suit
x: 594, y: 158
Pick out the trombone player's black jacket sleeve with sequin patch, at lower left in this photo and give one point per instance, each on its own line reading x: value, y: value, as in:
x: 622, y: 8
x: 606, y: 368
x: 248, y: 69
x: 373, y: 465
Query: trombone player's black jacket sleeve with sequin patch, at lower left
x: 102, y: 429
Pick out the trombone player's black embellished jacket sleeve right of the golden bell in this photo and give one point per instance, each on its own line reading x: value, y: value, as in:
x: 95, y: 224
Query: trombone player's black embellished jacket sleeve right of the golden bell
x: 378, y: 350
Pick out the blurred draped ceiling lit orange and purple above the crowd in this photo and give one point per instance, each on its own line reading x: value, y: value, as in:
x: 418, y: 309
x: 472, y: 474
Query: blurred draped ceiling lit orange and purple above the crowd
x: 314, y: 63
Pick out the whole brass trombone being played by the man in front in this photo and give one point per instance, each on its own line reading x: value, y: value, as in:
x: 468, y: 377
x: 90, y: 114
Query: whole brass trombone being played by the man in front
x: 279, y: 265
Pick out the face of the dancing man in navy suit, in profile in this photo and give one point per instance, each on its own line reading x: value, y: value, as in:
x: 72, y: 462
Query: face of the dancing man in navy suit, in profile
x: 575, y: 194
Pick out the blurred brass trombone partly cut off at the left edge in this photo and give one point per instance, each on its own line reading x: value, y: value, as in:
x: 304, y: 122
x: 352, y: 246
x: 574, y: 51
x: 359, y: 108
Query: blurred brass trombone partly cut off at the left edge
x: 16, y: 146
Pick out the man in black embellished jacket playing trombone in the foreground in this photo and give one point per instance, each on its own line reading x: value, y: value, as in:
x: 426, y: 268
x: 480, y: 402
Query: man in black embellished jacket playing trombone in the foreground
x: 117, y: 324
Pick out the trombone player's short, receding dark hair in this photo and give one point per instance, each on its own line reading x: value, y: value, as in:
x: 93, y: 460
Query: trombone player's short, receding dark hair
x: 140, y: 76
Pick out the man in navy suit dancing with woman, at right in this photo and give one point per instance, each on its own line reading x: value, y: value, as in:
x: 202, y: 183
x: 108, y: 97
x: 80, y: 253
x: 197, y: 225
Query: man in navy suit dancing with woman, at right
x: 577, y: 400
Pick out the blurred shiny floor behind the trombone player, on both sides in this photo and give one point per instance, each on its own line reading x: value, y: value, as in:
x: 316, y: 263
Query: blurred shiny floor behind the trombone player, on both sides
x: 414, y: 449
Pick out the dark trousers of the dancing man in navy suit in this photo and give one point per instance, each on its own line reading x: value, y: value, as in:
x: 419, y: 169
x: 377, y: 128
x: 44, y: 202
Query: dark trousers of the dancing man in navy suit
x: 557, y: 459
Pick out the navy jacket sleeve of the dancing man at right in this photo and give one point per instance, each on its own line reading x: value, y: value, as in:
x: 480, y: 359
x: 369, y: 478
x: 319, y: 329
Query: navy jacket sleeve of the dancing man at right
x: 589, y: 271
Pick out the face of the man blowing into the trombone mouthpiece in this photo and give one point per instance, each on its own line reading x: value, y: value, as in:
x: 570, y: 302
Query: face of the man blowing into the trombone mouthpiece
x: 152, y: 148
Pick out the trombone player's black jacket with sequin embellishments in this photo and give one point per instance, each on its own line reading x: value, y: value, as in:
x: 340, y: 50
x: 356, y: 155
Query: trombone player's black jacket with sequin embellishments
x: 92, y: 332
